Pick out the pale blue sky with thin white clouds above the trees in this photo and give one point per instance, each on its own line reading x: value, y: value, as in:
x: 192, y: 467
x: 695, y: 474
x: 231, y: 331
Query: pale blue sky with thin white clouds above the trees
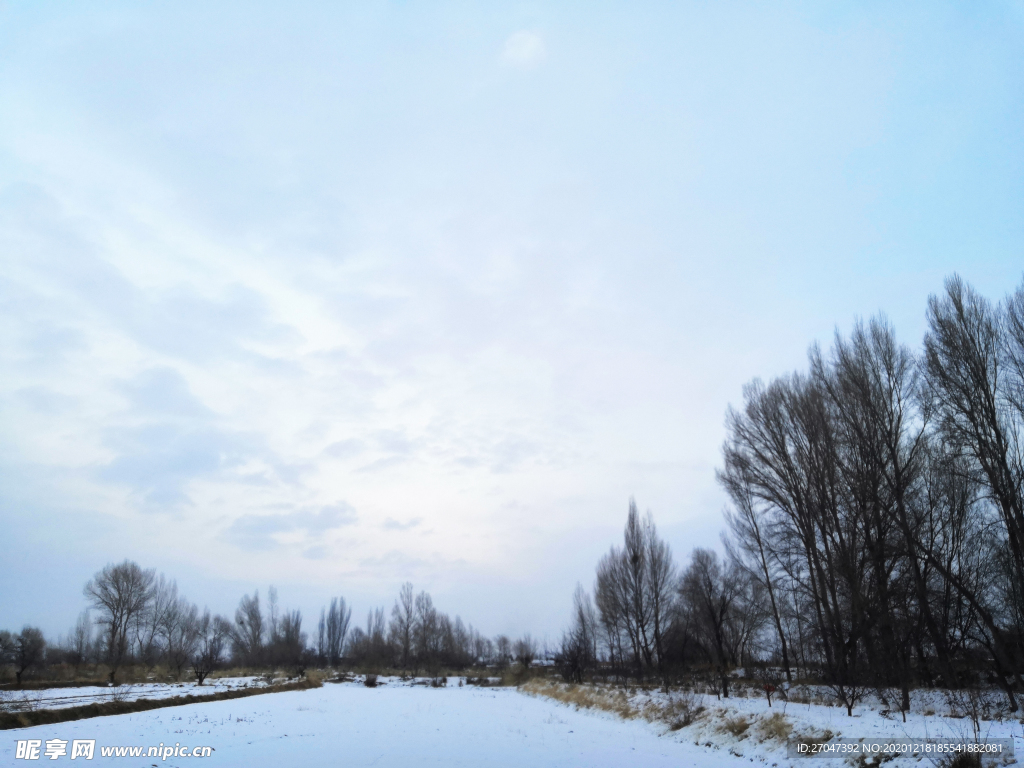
x: 339, y: 296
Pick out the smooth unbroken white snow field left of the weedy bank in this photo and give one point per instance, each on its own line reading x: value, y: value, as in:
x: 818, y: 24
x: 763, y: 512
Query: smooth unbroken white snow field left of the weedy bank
x: 400, y: 727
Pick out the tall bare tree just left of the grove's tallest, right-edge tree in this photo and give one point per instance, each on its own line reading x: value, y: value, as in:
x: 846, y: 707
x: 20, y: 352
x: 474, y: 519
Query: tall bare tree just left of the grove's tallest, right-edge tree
x: 871, y: 385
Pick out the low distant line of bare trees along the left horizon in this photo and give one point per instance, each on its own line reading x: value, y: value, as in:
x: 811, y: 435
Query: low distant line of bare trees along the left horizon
x: 138, y: 619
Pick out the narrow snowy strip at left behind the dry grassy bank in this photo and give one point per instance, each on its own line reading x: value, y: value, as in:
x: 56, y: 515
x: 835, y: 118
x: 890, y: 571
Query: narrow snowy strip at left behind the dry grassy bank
x: 58, y: 699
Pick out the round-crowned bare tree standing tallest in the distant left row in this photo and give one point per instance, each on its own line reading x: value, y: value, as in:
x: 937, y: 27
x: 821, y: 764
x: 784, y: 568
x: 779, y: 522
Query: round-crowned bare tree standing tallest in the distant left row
x: 120, y: 593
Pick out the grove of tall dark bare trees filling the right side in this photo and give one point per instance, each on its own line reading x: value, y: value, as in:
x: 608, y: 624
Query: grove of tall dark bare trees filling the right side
x: 876, y: 526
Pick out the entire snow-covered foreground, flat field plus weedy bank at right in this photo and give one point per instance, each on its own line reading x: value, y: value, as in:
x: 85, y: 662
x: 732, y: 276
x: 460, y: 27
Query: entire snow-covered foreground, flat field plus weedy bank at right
x: 413, y: 724
